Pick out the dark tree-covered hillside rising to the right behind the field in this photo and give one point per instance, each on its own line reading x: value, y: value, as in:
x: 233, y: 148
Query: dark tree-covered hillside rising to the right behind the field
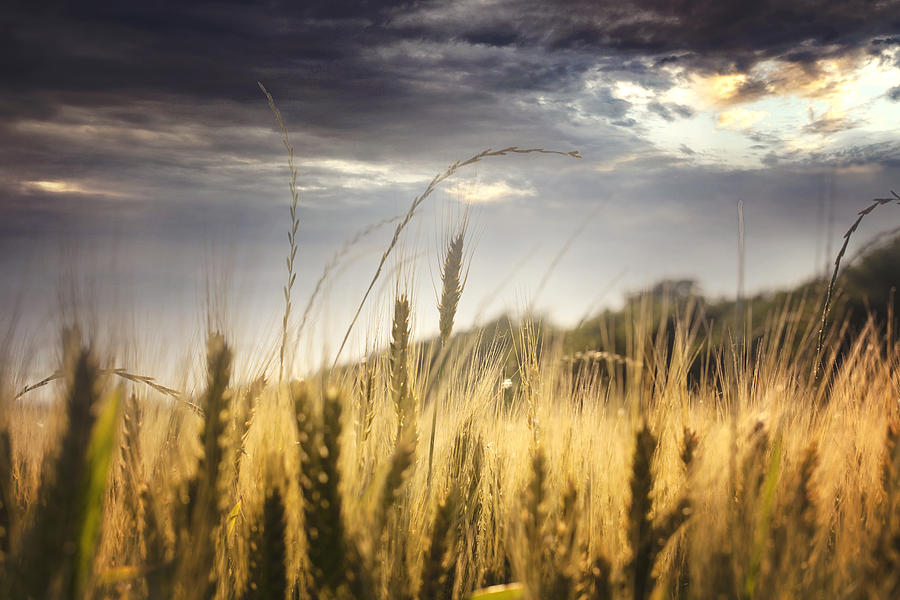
x: 865, y: 289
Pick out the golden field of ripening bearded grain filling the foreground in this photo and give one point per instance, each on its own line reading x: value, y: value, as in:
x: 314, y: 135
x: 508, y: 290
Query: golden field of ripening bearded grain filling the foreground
x: 623, y: 478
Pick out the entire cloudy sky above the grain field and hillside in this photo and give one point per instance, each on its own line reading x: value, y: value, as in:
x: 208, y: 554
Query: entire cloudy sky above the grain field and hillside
x: 140, y: 159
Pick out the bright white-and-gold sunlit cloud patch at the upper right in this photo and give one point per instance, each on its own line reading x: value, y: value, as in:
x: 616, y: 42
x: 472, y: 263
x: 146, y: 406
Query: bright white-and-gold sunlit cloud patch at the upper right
x: 780, y: 107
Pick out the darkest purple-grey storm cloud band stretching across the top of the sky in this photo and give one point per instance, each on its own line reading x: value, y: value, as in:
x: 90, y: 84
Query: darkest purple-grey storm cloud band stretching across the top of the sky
x: 384, y: 70
